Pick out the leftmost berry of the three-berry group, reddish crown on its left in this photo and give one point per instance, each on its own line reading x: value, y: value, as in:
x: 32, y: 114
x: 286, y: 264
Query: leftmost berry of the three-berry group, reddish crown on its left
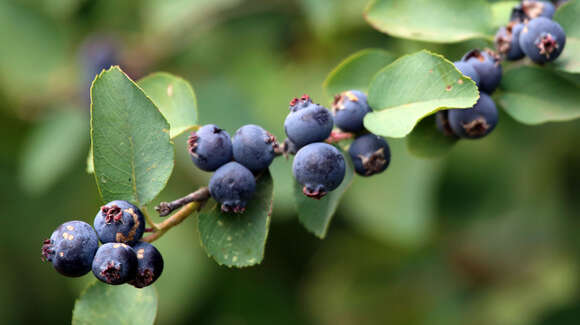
x: 210, y: 147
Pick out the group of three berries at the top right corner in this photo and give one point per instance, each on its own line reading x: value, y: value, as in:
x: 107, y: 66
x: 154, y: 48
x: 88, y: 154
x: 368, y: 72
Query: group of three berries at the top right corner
x: 531, y: 32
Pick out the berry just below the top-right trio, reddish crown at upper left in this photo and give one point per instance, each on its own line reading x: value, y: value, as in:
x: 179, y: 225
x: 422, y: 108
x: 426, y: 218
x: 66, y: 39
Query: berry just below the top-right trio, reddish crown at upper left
x: 487, y: 64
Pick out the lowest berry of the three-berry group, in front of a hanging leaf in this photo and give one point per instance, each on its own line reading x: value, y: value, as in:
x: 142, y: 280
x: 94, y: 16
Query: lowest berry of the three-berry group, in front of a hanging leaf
x: 232, y: 185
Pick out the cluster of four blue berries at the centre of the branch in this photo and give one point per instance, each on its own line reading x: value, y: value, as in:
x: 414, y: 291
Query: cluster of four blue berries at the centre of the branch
x: 320, y: 167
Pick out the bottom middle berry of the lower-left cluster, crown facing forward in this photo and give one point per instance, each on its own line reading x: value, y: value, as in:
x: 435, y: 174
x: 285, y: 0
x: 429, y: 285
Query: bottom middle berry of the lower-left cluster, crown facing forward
x: 115, y: 263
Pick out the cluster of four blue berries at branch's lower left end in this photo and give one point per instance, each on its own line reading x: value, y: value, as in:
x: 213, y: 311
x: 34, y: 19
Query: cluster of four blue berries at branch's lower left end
x: 73, y: 248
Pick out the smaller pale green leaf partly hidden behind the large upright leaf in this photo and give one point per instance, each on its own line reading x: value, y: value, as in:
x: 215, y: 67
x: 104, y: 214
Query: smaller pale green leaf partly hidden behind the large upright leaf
x: 175, y: 99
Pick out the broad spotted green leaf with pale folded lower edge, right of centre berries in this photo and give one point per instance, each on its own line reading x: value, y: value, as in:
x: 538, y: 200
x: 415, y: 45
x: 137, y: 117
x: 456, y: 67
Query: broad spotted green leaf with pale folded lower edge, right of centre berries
x: 413, y: 87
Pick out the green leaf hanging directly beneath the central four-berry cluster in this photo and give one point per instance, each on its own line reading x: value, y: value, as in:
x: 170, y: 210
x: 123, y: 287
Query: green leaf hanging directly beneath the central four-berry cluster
x: 316, y: 215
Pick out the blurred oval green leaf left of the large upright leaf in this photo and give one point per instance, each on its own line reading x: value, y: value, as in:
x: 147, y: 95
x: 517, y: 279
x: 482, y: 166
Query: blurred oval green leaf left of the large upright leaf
x: 55, y: 145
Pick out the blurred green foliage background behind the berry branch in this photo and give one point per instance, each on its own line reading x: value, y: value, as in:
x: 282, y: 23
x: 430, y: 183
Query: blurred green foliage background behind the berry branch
x: 487, y: 235
